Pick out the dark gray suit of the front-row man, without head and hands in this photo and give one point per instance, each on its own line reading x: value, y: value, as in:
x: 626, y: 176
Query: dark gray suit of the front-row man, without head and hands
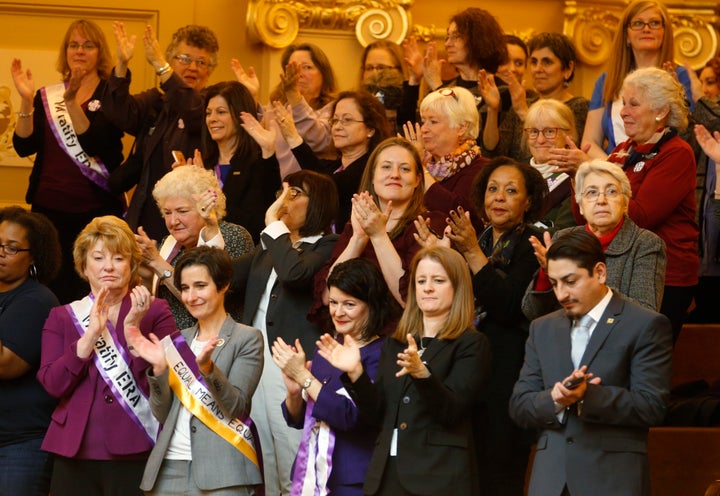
x: 600, y: 448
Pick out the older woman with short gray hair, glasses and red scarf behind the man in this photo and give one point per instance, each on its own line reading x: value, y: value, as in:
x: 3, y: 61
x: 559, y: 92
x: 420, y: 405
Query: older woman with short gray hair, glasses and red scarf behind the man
x: 635, y: 257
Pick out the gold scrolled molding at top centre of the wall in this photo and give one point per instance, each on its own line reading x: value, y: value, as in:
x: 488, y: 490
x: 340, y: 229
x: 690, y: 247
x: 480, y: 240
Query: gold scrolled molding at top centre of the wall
x: 276, y: 23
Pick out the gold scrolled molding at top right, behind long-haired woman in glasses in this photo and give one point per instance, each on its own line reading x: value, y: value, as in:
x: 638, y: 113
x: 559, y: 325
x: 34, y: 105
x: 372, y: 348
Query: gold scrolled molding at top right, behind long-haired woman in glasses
x: 592, y: 25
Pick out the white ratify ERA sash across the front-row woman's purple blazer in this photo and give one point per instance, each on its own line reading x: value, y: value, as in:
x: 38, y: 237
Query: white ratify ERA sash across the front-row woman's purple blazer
x: 112, y: 363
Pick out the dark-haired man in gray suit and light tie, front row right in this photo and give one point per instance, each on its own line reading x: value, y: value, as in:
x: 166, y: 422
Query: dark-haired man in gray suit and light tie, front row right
x: 593, y: 439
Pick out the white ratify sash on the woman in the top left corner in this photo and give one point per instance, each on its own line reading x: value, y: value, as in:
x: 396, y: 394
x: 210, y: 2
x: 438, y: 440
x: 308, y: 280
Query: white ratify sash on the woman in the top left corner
x: 53, y: 98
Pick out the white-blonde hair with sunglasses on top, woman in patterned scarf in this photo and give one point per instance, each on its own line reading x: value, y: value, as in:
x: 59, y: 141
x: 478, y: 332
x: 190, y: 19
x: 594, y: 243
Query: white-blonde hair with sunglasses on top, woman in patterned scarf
x: 458, y: 105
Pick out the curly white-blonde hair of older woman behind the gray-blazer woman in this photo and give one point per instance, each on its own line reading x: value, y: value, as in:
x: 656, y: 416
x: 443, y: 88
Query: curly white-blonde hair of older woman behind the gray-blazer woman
x: 186, y: 181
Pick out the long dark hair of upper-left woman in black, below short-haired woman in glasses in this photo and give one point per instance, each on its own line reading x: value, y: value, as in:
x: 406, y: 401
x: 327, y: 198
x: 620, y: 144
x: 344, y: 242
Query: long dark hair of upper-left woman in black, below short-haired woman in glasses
x: 239, y: 99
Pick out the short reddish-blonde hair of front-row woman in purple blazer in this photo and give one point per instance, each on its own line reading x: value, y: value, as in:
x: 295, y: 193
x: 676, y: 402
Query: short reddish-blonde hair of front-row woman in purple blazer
x: 116, y: 236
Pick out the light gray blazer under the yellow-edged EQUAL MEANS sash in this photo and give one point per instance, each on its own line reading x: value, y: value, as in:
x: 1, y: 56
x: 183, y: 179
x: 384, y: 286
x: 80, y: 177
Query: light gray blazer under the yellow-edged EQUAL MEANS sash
x: 238, y: 366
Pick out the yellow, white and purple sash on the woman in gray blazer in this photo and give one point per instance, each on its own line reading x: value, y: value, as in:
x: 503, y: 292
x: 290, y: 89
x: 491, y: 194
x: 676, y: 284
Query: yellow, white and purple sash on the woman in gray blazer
x: 190, y: 388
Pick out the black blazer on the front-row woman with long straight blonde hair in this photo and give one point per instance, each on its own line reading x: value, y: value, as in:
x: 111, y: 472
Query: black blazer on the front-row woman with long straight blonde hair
x: 435, y: 448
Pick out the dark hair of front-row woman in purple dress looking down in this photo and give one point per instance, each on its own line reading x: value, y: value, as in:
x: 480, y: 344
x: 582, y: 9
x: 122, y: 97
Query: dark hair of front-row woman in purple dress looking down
x: 361, y: 279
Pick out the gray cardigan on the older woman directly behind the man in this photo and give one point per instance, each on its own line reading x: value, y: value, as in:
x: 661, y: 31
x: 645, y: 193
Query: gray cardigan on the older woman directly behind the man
x: 635, y: 263
